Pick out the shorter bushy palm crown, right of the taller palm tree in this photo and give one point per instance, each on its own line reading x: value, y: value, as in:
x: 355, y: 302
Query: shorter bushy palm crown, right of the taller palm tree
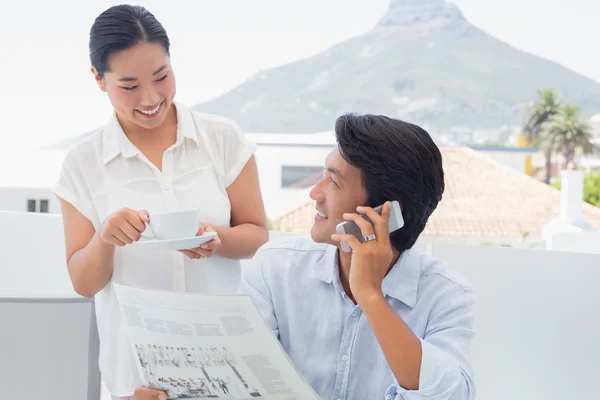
x: 566, y: 133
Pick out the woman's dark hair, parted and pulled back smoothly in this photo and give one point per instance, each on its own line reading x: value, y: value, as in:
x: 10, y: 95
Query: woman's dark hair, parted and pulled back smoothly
x: 121, y: 27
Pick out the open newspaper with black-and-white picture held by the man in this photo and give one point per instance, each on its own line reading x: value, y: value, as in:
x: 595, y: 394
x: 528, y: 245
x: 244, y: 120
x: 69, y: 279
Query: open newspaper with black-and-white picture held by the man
x: 196, y: 346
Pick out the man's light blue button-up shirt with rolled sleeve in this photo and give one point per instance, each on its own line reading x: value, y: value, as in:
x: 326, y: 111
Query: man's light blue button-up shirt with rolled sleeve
x: 295, y: 284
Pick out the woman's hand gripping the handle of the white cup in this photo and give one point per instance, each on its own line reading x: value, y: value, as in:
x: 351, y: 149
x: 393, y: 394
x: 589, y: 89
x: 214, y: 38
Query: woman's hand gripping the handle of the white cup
x: 123, y: 227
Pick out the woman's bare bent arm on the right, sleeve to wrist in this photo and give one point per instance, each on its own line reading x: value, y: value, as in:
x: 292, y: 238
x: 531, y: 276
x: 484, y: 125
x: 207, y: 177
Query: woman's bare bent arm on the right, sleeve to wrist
x: 248, y: 229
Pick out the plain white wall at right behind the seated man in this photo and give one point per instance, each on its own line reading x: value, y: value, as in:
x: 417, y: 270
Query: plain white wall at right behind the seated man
x: 537, y: 321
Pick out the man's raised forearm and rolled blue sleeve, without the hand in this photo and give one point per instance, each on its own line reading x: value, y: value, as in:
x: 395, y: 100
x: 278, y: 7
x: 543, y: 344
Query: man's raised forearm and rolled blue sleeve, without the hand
x: 437, y: 366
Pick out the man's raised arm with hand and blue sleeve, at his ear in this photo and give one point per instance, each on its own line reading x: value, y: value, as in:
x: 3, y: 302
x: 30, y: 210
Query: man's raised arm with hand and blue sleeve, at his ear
x: 436, y: 367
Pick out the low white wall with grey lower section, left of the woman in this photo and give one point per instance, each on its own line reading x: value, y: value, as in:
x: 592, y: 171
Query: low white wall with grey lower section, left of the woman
x: 48, y: 340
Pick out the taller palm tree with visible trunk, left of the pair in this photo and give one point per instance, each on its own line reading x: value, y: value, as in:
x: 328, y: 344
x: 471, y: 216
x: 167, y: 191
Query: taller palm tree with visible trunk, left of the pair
x: 540, y: 114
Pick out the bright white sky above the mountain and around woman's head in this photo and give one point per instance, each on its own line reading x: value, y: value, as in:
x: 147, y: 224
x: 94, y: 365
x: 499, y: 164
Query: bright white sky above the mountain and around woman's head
x: 48, y: 92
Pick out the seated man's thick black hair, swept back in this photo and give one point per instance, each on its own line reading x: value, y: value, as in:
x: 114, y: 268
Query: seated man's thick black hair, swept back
x: 398, y: 161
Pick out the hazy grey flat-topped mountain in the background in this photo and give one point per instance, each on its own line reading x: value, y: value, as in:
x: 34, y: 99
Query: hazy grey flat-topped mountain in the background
x: 422, y: 62
